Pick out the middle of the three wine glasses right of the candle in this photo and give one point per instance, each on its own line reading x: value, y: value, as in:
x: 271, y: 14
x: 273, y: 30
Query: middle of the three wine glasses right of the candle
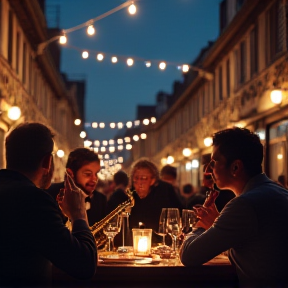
x: 173, y: 225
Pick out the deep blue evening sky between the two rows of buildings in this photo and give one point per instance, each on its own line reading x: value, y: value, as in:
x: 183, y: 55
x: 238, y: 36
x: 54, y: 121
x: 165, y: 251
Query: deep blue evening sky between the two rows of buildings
x: 170, y: 30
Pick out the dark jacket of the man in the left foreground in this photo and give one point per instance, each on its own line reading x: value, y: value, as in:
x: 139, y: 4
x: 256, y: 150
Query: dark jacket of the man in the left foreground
x: 33, y: 236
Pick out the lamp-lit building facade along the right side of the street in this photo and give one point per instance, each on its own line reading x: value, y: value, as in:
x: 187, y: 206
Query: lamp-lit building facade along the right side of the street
x: 248, y: 61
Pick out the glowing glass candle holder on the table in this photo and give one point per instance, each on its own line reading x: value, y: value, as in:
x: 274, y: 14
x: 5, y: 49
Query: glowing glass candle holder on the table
x: 142, y: 241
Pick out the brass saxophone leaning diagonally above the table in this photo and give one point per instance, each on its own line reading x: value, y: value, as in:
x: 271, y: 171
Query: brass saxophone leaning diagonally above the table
x: 96, y: 228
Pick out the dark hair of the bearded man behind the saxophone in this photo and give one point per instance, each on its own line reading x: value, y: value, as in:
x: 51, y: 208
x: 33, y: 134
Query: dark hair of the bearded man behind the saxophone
x: 80, y: 157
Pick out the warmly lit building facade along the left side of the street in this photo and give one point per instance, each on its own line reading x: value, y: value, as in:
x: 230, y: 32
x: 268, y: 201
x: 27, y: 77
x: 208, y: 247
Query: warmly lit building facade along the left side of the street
x: 32, y: 81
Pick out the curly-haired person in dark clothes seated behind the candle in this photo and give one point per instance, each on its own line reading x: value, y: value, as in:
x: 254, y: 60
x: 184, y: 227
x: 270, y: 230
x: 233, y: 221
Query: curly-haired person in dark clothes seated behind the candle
x: 151, y: 195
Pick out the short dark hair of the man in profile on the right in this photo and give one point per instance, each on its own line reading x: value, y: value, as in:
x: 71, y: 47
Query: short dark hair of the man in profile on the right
x: 240, y: 144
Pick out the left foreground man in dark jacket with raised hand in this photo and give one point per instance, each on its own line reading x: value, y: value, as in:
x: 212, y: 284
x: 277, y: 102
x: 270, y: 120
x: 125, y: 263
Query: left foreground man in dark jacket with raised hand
x: 33, y: 234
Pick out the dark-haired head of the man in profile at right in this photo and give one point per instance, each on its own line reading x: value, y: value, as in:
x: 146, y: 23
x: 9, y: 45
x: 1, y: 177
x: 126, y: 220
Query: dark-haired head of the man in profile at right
x: 237, y: 154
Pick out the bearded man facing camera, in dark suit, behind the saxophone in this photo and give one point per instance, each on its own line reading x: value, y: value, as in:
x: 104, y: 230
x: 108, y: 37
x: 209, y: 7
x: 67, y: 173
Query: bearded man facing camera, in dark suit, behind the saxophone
x: 83, y: 166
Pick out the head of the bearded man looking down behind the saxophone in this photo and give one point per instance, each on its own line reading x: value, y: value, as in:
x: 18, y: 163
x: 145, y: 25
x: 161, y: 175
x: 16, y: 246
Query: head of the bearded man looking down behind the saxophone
x: 84, y: 165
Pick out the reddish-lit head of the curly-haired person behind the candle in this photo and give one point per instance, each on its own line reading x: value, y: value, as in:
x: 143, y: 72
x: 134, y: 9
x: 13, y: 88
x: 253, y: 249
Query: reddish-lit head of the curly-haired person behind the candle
x: 144, y: 174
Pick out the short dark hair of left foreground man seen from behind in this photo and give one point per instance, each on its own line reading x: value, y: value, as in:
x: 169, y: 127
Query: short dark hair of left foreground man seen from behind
x: 26, y: 146
